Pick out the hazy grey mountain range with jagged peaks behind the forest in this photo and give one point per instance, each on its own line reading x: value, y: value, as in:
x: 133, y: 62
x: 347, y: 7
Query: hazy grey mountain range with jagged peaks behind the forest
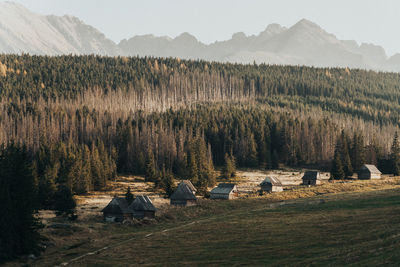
x: 305, y: 43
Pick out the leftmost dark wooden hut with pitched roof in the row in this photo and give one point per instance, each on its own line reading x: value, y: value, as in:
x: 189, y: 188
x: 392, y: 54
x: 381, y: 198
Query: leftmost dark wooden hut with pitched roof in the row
x: 117, y: 210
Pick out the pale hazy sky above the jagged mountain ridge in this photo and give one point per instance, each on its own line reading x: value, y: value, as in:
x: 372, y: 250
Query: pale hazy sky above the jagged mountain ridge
x: 372, y: 21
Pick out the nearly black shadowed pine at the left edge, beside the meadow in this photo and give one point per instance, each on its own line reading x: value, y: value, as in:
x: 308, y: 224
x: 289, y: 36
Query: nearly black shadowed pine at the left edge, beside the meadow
x: 18, y: 235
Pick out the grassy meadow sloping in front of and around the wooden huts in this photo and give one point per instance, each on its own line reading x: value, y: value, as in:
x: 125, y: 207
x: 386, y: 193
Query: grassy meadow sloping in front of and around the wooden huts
x: 338, y: 223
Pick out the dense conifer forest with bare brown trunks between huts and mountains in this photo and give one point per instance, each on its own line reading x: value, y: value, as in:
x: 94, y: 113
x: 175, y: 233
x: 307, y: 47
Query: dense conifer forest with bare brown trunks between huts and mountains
x: 81, y: 120
